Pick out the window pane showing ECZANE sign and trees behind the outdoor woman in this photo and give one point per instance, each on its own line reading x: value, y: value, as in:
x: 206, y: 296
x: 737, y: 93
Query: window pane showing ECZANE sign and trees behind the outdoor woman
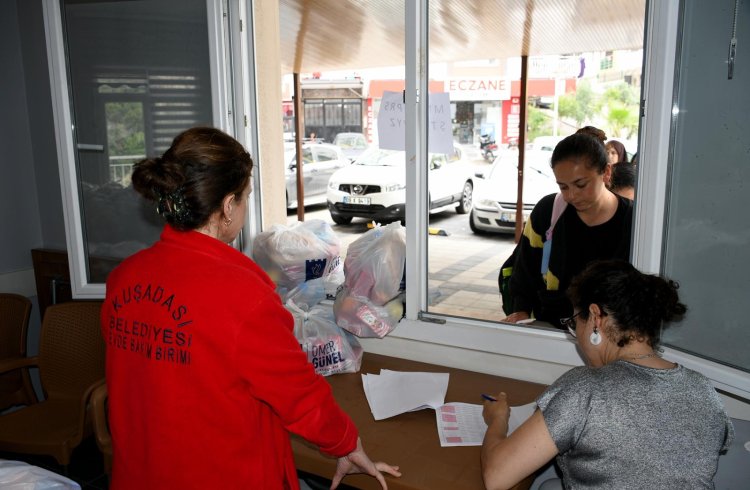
x: 597, y: 84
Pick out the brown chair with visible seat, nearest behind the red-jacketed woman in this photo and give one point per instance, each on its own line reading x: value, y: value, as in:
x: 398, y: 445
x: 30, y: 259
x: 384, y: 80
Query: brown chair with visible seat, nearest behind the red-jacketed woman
x: 71, y: 366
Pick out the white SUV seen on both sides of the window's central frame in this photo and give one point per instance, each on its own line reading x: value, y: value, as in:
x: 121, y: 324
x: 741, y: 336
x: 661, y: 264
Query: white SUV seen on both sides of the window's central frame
x: 374, y: 186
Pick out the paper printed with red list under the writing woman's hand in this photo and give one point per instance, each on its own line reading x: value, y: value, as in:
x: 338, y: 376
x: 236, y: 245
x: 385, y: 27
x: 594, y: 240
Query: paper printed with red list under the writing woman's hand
x: 462, y: 424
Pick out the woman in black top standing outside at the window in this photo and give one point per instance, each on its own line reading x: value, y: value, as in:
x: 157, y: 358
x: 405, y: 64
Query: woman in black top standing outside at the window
x: 595, y: 224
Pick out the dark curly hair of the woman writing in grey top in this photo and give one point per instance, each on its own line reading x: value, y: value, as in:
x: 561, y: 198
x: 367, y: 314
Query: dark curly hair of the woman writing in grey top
x: 641, y: 305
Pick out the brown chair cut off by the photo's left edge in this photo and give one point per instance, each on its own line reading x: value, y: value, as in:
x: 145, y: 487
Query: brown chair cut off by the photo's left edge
x: 15, y: 386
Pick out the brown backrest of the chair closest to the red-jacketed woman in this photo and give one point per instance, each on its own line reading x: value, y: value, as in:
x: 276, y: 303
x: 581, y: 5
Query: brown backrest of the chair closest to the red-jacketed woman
x: 71, y: 349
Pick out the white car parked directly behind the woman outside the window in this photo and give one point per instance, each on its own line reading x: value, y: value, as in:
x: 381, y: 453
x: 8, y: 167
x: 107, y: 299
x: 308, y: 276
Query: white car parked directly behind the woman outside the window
x: 497, y: 191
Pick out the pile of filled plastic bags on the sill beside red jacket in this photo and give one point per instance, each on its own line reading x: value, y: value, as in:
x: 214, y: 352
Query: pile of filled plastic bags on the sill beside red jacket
x: 305, y: 263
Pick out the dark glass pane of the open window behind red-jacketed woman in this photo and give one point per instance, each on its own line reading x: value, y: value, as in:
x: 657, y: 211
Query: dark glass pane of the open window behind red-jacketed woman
x: 138, y: 74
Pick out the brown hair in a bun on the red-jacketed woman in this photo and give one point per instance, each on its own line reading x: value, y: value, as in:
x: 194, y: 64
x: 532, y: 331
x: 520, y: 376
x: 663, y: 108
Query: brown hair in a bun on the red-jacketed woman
x: 190, y: 180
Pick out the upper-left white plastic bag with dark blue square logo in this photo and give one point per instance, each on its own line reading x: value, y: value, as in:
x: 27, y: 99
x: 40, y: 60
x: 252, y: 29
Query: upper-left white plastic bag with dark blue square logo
x: 304, y: 251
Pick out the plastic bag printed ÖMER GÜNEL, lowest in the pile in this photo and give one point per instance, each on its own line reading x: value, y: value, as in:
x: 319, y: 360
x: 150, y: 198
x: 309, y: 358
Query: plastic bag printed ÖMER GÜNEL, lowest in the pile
x: 329, y: 349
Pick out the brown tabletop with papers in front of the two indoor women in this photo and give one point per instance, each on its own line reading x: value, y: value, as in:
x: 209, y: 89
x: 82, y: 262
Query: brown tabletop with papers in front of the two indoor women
x: 410, y: 440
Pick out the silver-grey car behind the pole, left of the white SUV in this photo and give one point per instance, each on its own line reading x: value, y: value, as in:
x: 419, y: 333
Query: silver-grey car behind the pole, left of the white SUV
x: 321, y: 160
